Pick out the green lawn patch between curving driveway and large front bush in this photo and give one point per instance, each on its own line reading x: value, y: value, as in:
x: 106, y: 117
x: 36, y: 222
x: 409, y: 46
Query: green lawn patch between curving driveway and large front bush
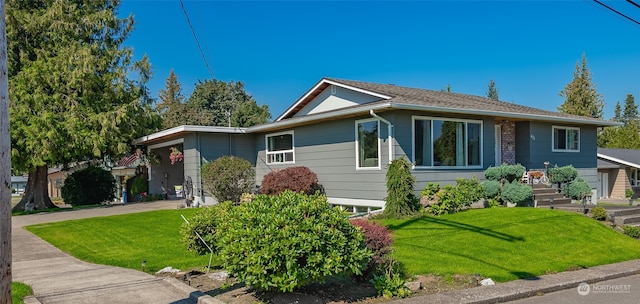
x: 125, y: 240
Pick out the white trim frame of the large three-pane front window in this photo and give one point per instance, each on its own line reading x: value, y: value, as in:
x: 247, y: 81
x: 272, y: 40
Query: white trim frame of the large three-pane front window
x: 431, y: 118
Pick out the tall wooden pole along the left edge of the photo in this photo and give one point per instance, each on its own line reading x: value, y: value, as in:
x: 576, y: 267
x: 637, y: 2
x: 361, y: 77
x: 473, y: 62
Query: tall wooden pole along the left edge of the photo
x: 5, y: 170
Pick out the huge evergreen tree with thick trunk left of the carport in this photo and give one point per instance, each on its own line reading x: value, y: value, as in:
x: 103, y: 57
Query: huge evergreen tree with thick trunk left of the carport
x: 76, y: 93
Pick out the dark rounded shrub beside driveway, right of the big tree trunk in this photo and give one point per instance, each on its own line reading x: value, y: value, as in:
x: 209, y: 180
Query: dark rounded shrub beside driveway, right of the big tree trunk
x: 88, y: 186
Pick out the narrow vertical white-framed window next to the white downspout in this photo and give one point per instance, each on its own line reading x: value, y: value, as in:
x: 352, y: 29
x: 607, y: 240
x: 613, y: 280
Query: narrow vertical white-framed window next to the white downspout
x: 367, y: 144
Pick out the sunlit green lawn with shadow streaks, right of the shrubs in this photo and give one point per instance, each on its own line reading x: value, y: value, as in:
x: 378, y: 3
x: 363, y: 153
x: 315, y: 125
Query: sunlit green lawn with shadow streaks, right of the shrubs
x: 507, y: 243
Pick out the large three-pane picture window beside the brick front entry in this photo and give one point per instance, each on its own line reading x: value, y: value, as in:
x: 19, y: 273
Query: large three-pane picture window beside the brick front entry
x: 447, y: 142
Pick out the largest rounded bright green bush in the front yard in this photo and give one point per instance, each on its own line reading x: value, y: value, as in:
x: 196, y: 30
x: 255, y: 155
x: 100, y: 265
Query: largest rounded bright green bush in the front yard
x: 287, y: 241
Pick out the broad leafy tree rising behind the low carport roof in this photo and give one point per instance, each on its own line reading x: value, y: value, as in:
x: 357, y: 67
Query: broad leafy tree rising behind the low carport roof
x: 225, y: 104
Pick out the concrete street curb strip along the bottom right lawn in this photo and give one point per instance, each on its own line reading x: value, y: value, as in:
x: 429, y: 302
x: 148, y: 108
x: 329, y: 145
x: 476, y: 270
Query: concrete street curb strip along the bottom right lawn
x: 520, y: 289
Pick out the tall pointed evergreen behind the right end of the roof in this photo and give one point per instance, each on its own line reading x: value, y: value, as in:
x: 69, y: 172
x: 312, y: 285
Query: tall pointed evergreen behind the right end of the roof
x: 581, y: 97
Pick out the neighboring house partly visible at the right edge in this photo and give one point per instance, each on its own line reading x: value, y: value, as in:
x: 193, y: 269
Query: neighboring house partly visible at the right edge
x: 618, y: 171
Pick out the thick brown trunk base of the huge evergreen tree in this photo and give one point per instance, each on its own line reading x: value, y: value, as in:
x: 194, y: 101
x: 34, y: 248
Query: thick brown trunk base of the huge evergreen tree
x: 36, y: 195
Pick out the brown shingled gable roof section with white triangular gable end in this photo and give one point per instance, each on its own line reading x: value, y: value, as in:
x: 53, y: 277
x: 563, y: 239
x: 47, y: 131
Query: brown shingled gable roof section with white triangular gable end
x: 399, y: 97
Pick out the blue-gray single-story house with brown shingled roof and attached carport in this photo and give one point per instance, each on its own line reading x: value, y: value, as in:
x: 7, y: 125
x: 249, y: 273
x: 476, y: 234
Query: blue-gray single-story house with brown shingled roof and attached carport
x: 347, y: 132
